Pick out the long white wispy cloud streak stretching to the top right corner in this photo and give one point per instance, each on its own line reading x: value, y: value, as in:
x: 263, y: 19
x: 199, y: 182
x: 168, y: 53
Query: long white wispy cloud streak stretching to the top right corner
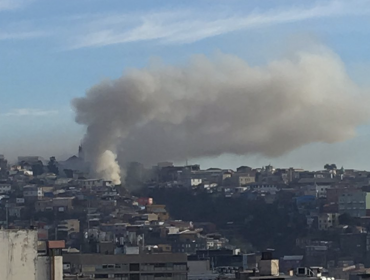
x: 181, y: 27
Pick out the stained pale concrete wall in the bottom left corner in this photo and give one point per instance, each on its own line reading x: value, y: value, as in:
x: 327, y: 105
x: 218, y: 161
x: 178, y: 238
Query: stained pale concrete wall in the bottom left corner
x: 18, y: 256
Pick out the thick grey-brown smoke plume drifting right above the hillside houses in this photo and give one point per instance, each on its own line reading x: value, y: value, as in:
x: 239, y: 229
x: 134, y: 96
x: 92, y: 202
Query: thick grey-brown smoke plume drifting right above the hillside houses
x: 220, y: 105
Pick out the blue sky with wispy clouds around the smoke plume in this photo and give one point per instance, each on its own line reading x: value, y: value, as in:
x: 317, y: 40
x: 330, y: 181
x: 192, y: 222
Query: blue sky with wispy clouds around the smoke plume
x: 53, y: 51
